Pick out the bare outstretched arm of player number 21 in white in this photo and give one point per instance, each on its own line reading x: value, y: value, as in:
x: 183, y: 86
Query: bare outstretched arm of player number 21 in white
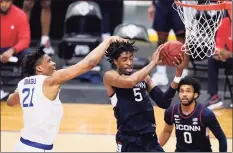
x: 89, y: 62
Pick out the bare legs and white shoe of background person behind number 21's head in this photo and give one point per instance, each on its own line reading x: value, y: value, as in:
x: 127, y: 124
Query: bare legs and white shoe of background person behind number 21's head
x: 45, y: 21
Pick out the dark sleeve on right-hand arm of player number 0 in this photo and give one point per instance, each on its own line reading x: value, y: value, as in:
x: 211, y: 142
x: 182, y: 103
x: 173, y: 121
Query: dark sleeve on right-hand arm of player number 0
x: 210, y: 121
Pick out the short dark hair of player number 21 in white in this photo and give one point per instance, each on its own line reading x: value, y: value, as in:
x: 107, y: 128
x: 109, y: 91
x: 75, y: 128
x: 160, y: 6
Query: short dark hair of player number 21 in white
x: 30, y: 61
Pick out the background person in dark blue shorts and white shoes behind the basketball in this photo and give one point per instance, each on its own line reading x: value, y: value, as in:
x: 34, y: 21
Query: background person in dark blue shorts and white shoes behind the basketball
x: 165, y: 18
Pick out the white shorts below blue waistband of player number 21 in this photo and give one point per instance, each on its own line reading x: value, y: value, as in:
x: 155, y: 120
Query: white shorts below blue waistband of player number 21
x: 20, y: 147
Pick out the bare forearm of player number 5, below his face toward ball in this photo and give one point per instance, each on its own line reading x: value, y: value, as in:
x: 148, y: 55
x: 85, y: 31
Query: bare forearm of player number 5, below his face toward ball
x: 142, y: 74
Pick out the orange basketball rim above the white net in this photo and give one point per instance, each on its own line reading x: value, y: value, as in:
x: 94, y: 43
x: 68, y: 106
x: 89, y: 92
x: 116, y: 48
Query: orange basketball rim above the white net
x: 221, y: 6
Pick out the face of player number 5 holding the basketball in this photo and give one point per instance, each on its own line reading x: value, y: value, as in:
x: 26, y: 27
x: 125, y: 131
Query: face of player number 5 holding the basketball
x: 124, y: 63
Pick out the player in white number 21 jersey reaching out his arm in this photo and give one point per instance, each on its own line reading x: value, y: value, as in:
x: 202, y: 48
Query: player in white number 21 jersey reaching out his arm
x: 38, y: 95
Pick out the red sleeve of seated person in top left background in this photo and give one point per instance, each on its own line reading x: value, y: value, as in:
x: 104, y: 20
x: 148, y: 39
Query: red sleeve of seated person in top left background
x: 23, y: 34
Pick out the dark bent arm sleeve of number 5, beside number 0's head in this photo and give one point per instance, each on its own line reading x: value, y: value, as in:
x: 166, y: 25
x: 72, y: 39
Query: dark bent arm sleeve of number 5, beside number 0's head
x: 162, y: 99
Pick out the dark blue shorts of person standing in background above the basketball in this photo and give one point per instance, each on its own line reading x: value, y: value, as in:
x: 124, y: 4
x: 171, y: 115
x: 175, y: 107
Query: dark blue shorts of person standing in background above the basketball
x: 167, y: 18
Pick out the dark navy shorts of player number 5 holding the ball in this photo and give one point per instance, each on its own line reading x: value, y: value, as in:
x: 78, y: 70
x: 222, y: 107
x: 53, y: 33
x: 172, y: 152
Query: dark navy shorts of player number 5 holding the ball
x: 144, y: 143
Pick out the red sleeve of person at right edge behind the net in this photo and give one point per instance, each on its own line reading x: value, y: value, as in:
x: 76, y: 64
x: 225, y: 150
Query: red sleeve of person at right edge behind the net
x: 220, y: 36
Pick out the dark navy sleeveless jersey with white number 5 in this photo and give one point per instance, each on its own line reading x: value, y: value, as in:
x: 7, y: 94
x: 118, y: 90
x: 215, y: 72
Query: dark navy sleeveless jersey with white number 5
x: 133, y: 109
